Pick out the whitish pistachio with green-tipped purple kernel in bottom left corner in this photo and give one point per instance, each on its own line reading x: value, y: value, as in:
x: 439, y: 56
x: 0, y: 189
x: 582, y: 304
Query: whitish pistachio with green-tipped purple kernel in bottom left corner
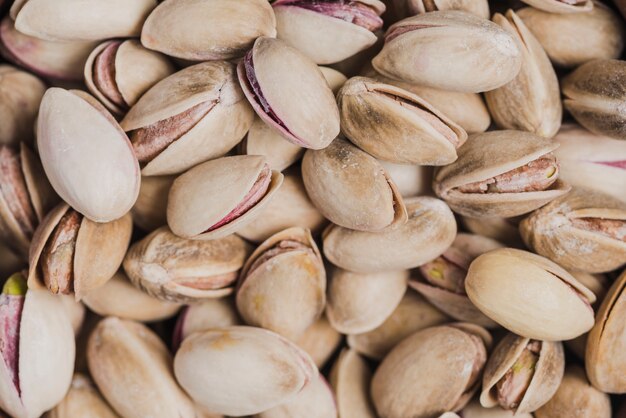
x: 30, y: 383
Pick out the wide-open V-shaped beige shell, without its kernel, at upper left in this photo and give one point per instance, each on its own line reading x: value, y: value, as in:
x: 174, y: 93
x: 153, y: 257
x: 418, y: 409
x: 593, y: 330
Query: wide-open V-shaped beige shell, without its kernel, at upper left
x: 214, y: 135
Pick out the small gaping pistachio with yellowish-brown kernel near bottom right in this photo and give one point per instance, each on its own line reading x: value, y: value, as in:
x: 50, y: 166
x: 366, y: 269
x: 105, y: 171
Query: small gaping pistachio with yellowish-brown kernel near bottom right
x: 522, y: 374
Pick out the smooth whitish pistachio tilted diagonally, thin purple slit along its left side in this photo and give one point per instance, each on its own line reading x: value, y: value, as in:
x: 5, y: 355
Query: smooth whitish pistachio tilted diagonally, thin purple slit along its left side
x: 308, y: 115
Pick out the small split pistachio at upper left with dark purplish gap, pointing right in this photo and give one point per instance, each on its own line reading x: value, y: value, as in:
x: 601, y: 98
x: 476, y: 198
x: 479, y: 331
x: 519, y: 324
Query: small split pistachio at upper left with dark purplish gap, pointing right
x: 119, y: 72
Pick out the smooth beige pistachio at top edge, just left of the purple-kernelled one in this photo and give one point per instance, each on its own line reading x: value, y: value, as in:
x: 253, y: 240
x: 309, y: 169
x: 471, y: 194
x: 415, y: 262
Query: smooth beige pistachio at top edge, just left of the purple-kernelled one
x: 207, y: 30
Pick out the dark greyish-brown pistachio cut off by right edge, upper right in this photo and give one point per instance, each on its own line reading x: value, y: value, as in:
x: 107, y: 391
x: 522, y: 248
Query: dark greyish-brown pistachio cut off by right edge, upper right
x: 595, y: 96
